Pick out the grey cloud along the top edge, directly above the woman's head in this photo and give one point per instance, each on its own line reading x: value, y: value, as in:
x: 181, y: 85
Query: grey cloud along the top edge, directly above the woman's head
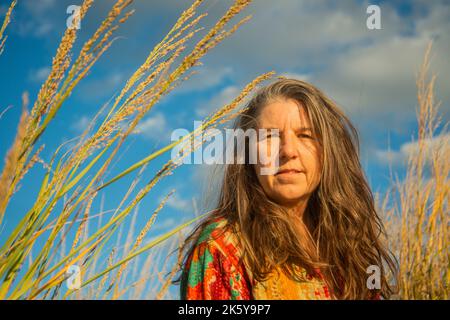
x: 297, y: 34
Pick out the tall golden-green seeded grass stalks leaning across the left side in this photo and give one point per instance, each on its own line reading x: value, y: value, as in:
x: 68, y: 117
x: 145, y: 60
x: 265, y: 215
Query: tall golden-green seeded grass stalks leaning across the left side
x: 54, y: 233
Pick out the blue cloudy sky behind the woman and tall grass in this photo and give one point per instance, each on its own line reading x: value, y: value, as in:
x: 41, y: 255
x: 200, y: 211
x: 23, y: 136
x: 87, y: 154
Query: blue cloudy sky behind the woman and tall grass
x: 370, y: 73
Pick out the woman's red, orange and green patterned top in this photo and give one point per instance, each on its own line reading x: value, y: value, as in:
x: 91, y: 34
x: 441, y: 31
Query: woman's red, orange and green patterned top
x: 214, y: 271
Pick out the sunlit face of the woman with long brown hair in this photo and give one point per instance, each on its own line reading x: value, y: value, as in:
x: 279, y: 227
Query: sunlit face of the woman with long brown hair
x: 299, y: 154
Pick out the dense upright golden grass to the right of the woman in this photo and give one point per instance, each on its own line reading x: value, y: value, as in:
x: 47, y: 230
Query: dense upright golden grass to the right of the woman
x: 416, y: 208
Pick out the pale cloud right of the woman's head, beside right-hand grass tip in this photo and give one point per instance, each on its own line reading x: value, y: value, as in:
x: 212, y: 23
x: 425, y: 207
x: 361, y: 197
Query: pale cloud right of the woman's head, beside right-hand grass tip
x: 380, y: 77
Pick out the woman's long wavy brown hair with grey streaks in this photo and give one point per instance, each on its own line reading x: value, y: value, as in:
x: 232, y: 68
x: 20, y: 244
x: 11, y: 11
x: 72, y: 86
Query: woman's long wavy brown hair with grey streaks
x: 346, y: 229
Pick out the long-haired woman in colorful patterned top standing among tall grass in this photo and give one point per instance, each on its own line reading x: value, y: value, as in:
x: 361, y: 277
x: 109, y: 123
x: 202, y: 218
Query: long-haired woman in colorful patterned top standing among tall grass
x: 308, y: 229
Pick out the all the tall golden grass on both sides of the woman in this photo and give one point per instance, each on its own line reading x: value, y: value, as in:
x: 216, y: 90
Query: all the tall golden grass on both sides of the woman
x: 59, y: 230
